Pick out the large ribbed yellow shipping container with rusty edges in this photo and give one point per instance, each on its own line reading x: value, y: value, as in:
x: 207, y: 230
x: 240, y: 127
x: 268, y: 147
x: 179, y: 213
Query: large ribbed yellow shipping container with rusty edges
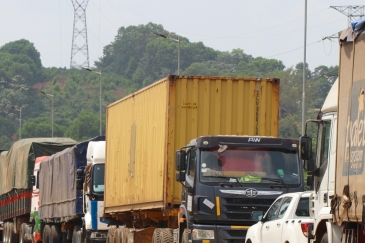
x: 145, y: 129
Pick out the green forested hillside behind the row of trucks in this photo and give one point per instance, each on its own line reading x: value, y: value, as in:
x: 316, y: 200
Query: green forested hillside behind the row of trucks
x: 136, y: 58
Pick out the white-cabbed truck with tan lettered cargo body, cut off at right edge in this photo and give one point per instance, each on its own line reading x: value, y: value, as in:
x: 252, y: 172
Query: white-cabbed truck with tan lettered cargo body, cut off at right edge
x: 337, y: 160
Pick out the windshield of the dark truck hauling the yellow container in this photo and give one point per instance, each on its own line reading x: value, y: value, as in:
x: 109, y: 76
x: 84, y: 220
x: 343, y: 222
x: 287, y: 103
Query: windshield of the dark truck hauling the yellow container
x: 250, y: 165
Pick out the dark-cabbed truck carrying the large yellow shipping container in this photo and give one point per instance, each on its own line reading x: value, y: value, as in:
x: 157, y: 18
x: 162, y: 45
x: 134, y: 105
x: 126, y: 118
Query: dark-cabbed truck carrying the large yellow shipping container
x: 193, y: 118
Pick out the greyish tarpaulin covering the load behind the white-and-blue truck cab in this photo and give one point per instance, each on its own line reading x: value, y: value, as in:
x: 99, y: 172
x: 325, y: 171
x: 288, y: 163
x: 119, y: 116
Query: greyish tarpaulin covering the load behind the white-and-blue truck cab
x: 57, y: 183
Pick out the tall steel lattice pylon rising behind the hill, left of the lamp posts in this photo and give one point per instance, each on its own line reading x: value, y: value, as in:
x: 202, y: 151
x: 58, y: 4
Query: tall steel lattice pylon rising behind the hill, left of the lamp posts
x: 79, y: 51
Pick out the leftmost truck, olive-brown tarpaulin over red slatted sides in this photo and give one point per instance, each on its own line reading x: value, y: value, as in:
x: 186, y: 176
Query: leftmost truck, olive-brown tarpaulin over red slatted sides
x: 16, y: 191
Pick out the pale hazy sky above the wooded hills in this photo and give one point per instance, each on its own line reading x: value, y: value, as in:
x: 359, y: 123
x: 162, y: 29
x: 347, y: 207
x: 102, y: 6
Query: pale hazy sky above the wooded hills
x: 271, y: 29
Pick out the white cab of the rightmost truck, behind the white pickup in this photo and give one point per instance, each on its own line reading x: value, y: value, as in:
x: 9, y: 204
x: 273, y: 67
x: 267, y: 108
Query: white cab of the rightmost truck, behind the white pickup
x: 324, y: 174
